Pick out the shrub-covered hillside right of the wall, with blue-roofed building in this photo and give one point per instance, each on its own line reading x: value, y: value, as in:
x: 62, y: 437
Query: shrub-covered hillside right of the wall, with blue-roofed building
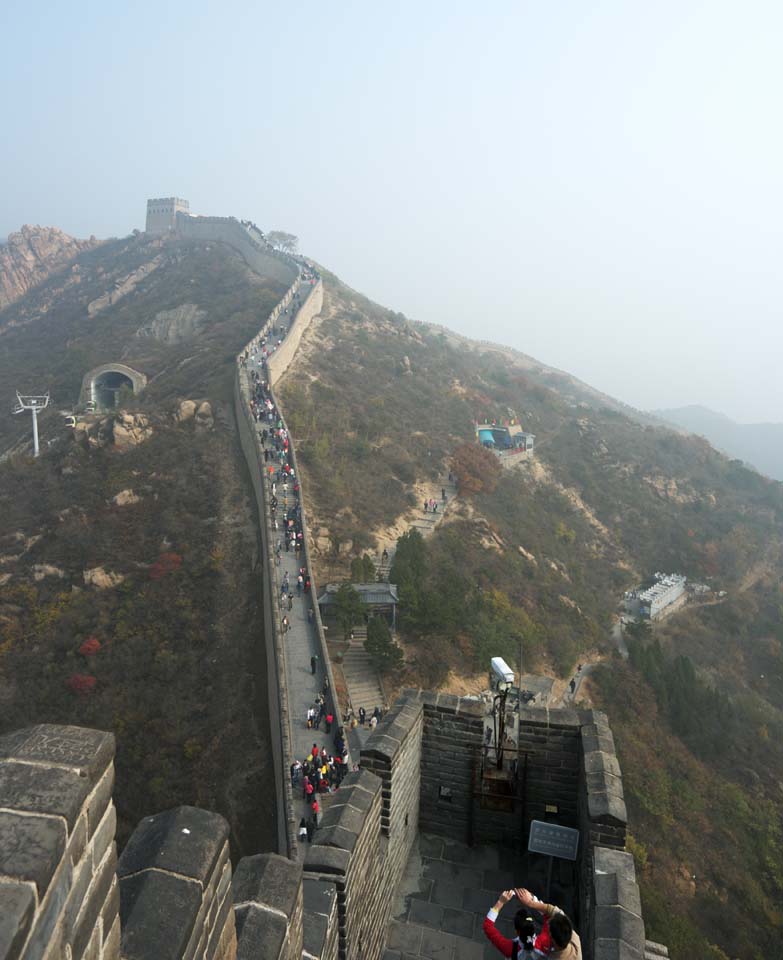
x: 542, y: 554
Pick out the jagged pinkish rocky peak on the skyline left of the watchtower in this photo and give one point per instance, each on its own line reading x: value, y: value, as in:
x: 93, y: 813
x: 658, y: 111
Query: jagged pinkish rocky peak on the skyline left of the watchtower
x: 31, y: 255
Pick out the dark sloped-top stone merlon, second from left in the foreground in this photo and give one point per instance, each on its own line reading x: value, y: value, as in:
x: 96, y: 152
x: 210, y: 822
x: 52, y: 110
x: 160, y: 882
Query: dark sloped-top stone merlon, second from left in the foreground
x: 175, y: 888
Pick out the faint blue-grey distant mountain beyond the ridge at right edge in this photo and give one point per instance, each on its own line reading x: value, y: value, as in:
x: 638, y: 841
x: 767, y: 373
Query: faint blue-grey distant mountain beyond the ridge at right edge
x: 758, y: 444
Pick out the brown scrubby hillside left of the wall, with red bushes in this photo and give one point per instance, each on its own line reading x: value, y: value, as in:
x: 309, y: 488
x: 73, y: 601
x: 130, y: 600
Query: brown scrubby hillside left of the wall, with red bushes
x: 128, y: 598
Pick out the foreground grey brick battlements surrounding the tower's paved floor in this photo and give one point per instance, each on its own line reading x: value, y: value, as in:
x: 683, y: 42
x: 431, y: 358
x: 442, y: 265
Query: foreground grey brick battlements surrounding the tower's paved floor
x: 171, y: 896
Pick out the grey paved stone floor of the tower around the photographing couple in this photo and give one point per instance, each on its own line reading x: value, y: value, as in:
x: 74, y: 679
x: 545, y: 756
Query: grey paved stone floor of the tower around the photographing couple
x: 447, y: 889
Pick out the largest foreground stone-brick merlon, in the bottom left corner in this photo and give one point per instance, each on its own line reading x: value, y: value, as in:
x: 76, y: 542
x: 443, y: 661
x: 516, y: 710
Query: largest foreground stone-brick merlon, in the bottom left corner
x: 58, y: 889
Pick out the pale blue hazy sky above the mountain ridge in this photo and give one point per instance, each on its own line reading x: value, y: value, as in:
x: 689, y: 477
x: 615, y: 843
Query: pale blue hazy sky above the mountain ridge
x: 595, y: 183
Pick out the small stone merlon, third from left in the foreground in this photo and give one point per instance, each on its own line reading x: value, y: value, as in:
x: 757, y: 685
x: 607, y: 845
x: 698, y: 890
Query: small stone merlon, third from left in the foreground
x: 268, y: 904
